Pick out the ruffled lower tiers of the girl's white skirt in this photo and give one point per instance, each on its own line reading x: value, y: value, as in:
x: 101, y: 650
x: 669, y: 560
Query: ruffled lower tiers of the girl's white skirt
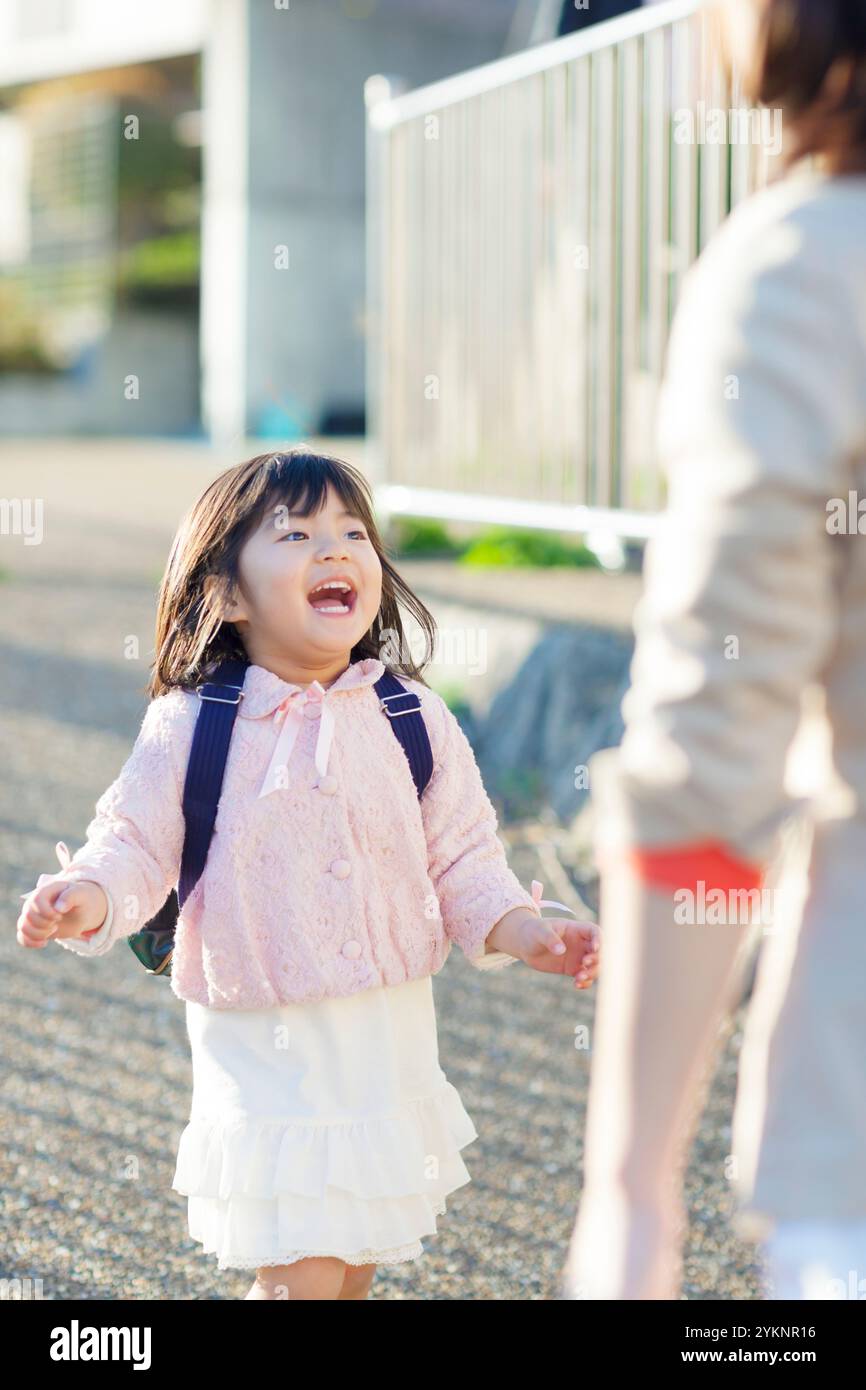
x: 268, y: 1192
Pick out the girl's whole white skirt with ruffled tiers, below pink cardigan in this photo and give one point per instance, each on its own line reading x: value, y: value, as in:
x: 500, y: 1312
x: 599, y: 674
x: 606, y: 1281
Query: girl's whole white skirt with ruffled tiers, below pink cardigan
x: 320, y: 1129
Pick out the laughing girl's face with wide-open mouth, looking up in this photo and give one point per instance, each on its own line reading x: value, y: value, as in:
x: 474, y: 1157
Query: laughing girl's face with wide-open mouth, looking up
x: 283, y: 626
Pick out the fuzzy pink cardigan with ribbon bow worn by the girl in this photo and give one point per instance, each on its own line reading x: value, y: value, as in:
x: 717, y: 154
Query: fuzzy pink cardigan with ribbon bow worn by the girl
x: 326, y: 875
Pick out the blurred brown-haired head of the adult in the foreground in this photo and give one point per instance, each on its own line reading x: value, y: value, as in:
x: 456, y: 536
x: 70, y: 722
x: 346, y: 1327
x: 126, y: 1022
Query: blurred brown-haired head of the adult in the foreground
x: 811, y: 62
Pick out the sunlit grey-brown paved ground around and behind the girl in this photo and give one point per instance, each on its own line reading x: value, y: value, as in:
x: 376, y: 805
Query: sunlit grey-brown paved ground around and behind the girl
x: 97, y: 1081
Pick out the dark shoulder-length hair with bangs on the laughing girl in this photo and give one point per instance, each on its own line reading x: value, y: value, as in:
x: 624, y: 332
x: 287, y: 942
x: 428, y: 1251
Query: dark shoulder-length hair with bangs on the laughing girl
x: 190, y: 633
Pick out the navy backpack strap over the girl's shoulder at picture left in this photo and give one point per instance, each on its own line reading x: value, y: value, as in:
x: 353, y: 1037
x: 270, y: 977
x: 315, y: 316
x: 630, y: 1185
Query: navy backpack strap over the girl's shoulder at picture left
x: 220, y: 700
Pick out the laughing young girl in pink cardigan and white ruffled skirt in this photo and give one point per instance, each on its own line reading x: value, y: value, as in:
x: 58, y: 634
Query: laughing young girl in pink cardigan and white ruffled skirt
x: 323, y: 1136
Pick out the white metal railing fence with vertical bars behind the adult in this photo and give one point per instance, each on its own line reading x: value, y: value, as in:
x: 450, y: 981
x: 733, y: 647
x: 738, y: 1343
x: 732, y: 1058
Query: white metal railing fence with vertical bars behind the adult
x: 530, y: 224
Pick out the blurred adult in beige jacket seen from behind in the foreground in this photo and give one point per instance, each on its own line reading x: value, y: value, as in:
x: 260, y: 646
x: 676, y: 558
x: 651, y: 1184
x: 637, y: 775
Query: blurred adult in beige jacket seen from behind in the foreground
x: 755, y: 591
